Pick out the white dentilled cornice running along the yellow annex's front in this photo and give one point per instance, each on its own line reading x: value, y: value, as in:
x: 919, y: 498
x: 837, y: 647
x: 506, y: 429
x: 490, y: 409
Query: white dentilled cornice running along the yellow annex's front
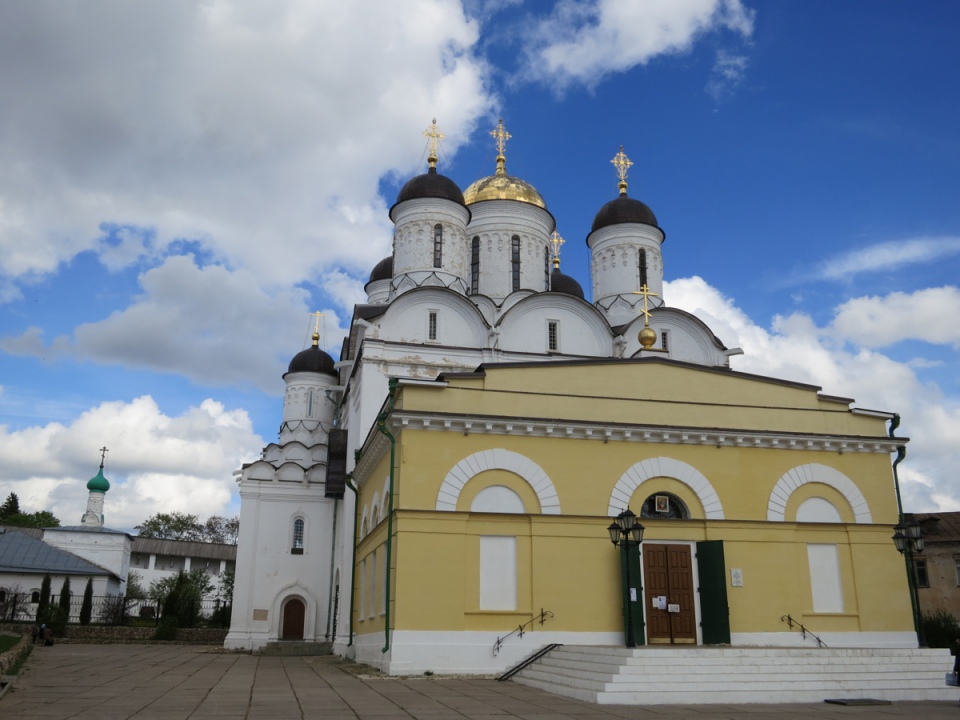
x: 660, y: 434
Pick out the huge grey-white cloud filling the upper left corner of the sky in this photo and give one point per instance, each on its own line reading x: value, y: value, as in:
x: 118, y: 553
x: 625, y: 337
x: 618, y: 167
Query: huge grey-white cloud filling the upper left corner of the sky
x: 247, y: 126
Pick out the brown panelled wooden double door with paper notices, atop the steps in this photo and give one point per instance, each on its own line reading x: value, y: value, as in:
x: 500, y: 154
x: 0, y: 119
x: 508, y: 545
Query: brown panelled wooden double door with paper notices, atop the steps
x: 668, y: 572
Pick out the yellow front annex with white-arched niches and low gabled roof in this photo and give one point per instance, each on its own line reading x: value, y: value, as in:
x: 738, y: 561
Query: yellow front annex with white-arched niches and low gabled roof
x: 504, y: 481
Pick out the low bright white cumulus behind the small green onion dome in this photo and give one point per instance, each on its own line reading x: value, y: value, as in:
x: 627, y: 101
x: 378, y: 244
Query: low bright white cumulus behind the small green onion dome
x: 156, y: 463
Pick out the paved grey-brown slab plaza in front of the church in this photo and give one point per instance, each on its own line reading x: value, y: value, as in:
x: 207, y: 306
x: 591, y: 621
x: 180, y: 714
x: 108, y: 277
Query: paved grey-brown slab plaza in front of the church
x: 174, y: 682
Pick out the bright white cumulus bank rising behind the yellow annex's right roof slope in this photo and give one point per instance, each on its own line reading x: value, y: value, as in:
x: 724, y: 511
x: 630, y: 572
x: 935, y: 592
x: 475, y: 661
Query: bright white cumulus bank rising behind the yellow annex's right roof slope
x: 795, y: 348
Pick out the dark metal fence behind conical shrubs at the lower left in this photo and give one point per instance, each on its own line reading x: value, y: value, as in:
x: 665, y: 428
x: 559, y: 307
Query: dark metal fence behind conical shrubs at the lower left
x: 107, y: 610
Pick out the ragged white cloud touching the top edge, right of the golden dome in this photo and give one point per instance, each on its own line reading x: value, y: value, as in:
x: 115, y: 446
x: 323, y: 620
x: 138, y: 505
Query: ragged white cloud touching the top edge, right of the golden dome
x: 582, y: 41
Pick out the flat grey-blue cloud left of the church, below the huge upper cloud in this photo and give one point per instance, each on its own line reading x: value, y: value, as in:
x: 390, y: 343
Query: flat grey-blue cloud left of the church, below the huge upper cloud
x: 210, y: 324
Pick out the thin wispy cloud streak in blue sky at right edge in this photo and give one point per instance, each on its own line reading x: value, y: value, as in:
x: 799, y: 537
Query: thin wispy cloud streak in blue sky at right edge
x: 887, y: 256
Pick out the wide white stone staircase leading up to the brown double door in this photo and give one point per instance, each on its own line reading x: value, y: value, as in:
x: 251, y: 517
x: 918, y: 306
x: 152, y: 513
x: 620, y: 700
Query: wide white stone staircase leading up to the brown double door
x: 695, y: 675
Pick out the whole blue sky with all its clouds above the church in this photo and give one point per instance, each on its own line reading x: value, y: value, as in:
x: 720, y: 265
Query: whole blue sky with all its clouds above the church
x: 182, y: 183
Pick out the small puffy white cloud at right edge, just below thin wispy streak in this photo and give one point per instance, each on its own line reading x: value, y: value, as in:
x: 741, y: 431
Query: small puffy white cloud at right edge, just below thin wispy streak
x: 877, y: 322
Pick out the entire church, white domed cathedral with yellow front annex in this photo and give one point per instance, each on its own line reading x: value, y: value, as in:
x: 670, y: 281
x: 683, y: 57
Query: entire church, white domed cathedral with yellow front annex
x: 493, y: 421
